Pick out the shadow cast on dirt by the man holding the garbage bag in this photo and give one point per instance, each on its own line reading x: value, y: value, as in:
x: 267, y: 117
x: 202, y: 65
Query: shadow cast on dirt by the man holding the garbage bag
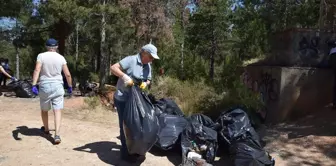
x: 108, y: 152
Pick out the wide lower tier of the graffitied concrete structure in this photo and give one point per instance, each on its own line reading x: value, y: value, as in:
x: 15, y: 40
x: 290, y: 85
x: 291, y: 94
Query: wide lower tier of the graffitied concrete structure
x: 290, y: 92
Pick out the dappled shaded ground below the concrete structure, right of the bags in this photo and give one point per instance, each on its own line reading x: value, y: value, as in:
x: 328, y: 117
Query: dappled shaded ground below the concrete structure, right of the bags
x: 311, y: 140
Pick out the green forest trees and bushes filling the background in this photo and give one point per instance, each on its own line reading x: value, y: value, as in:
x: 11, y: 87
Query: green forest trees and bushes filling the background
x: 217, y: 38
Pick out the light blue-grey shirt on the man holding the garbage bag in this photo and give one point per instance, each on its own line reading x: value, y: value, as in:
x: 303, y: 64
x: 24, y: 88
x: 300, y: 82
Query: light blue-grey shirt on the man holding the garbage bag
x: 133, y: 67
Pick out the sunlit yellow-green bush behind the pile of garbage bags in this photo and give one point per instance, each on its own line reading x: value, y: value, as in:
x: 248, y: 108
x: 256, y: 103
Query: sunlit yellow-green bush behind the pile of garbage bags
x: 197, y: 97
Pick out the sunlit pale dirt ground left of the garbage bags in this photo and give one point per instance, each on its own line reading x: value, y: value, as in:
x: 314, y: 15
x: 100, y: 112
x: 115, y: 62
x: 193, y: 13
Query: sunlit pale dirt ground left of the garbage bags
x: 84, y: 142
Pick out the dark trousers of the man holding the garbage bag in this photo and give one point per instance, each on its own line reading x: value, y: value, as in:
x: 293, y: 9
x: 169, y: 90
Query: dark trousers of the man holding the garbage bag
x: 120, y: 109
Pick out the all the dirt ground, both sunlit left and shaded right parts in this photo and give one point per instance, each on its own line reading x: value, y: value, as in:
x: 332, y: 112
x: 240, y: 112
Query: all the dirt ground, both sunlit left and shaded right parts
x: 90, y: 138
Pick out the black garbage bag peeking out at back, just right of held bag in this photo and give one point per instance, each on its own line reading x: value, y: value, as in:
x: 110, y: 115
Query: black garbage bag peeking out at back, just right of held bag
x: 166, y: 105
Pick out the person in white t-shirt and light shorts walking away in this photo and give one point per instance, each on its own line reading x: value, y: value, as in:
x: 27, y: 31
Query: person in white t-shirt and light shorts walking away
x: 48, y: 68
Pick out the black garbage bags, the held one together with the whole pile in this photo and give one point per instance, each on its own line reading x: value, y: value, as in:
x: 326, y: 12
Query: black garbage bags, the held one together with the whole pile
x: 161, y: 123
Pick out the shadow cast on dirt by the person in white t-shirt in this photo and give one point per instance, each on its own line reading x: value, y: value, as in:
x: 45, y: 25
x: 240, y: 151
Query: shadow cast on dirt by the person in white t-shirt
x: 24, y: 130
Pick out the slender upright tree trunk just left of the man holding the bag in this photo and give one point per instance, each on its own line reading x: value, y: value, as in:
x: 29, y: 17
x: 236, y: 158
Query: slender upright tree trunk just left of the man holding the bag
x: 103, y: 58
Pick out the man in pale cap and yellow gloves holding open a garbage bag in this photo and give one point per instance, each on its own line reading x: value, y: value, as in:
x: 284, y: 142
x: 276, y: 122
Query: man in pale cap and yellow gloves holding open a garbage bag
x: 132, y: 70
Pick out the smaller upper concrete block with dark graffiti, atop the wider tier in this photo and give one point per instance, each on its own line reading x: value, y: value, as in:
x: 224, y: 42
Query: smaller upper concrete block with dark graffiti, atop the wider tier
x: 300, y: 47
